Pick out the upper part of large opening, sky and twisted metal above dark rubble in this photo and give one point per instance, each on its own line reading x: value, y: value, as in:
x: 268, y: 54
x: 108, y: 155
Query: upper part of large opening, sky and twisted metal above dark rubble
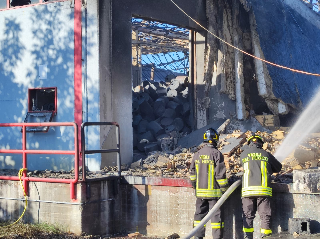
x: 160, y: 51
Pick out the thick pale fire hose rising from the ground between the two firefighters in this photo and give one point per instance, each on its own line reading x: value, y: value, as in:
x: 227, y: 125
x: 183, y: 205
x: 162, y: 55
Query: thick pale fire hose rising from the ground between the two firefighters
x: 213, y: 209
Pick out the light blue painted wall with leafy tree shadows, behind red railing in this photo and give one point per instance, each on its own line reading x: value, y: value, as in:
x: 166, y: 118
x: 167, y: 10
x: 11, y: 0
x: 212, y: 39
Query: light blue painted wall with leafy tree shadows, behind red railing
x: 42, y: 36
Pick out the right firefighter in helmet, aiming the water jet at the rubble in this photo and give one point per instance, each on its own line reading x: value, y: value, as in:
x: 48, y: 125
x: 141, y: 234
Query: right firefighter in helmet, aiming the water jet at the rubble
x: 258, y: 166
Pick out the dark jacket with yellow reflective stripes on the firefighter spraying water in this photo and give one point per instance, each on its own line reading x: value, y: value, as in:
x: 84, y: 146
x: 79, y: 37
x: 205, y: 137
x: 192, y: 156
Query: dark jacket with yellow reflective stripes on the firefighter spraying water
x: 258, y: 165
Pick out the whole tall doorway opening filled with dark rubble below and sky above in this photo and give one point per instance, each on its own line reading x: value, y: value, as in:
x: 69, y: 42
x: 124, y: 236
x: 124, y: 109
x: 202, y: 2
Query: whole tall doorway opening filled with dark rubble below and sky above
x: 160, y: 96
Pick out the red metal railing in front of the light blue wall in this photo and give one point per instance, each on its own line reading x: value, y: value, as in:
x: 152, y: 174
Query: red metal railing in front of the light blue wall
x: 24, y: 151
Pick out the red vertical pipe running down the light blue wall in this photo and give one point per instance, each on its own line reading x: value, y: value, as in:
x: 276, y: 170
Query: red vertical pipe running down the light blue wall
x: 78, y: 69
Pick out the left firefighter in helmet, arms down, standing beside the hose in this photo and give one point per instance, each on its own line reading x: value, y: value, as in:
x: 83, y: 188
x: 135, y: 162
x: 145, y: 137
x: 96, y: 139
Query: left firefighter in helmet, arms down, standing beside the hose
x: 208, y: 178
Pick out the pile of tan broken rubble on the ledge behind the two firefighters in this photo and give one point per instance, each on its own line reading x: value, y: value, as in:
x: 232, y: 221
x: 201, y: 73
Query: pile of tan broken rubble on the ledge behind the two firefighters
x: 175, y: 164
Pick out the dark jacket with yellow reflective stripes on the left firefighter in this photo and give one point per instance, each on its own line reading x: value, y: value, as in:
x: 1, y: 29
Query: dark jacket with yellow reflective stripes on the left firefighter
x: 208, y: 173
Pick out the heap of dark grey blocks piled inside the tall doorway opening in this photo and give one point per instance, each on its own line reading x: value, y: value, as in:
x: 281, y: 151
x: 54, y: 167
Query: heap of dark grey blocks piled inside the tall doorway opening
x: 160, y: 113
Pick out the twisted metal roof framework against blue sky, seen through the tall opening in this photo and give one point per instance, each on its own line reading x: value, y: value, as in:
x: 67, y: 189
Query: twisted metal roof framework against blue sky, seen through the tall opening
x: 161, y: 46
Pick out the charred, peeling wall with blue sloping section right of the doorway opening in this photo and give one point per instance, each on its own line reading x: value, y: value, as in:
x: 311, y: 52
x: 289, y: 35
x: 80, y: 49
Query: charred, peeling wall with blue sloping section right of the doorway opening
x: 238, y: 85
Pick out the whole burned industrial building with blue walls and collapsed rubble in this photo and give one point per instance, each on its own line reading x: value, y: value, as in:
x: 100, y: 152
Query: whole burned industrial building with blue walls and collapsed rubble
x: 104, y: 103
